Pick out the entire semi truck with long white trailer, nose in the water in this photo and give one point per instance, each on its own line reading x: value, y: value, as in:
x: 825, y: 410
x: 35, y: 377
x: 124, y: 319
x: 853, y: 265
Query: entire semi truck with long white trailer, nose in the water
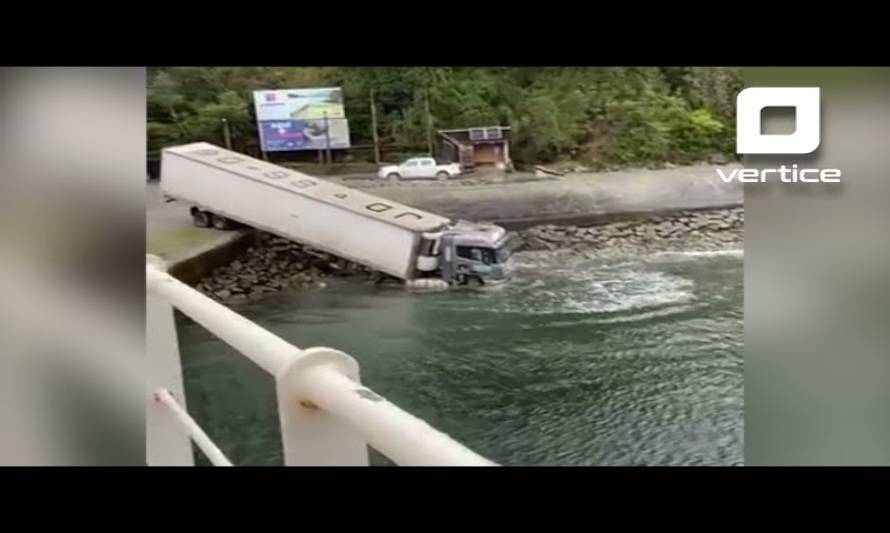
x: 224, y: 187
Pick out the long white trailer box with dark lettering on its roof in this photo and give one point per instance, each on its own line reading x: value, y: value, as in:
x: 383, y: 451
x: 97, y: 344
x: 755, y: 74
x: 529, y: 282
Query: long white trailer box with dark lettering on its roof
x: 351, y: 224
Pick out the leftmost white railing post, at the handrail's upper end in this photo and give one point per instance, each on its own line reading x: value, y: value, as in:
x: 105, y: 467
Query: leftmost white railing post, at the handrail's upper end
x: 167, y: 443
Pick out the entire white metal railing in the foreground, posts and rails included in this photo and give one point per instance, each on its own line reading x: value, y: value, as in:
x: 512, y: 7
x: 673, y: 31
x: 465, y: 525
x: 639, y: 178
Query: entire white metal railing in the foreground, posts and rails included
x: 326, y: 416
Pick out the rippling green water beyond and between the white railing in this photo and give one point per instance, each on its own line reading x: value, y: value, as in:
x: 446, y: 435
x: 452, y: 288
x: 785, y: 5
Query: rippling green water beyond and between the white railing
x: 636, y: 362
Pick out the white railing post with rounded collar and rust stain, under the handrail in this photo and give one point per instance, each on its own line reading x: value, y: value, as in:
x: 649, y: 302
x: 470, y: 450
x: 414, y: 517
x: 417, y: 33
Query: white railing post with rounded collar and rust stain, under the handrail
x: 310, y: 435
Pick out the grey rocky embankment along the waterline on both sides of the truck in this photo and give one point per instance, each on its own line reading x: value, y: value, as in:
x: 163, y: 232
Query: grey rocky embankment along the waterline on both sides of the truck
x: 273, y: 264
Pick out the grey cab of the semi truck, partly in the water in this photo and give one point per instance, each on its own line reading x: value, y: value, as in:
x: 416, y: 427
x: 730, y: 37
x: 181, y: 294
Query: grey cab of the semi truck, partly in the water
x: 475, y: 254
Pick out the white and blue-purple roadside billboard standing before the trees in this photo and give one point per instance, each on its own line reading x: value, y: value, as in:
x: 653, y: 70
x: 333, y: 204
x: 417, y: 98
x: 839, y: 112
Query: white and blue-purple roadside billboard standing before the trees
x: 294, y: 119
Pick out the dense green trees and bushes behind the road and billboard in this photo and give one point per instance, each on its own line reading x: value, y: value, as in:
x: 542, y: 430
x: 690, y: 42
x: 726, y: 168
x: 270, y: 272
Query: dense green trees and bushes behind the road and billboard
x: 595, y: 116
